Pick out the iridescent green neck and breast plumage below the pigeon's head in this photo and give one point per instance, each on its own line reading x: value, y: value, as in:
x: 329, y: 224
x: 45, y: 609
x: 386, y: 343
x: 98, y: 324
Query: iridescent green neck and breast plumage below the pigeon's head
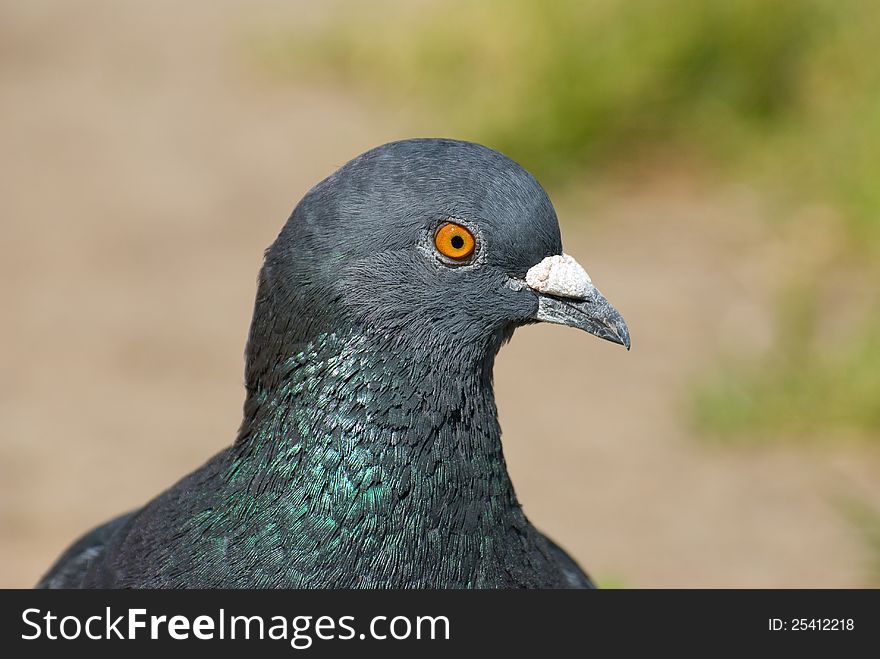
x: 387, y: 464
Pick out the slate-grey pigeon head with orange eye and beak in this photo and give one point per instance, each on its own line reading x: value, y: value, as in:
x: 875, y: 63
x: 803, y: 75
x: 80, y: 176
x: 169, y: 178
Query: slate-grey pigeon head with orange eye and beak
x: 438, y: 243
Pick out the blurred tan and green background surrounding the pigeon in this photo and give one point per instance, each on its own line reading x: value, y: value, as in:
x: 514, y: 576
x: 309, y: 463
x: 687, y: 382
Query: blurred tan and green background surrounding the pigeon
x: 714, y: 164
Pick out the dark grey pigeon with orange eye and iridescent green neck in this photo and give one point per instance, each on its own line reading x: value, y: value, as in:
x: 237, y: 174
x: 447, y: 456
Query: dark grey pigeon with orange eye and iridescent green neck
x: 369, y: 455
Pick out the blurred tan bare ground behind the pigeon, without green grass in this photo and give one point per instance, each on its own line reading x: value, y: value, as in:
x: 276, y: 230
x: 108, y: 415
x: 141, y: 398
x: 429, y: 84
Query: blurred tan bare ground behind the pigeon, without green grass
x: 146, y: 163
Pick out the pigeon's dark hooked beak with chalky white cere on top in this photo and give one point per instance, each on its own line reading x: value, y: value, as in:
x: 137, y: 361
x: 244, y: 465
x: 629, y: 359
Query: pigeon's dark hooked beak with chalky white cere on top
x: 566, y: 296
